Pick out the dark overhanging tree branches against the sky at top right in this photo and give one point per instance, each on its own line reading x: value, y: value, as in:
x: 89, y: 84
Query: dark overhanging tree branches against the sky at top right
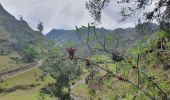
x: 95, y: 8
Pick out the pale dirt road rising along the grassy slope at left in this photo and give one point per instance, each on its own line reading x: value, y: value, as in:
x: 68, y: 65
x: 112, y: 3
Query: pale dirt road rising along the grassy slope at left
x: 19, y: 71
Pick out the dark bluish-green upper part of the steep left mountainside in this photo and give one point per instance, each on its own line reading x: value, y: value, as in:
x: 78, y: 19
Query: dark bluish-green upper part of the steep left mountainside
x: 18, y: 30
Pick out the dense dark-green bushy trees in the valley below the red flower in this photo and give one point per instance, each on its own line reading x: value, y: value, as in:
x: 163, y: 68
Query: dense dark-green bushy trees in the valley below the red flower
x: 62, y: 71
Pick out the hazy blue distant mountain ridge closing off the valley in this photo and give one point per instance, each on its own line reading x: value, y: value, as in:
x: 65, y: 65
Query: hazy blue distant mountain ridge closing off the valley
x: 127, y: 34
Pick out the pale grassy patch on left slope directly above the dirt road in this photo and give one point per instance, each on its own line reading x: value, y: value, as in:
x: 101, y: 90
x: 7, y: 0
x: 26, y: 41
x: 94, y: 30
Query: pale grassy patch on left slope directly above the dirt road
x: 6, y: 52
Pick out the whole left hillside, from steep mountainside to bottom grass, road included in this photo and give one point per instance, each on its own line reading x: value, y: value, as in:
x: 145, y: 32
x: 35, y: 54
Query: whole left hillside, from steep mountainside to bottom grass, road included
x: 17, y: 75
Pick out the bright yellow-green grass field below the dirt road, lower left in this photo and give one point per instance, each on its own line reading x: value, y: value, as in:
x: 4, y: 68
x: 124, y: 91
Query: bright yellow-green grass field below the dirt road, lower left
x: 27, y: 78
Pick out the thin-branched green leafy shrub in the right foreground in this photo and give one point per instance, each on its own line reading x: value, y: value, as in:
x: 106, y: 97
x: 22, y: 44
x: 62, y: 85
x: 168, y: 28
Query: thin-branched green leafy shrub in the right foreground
x: 124, y: 66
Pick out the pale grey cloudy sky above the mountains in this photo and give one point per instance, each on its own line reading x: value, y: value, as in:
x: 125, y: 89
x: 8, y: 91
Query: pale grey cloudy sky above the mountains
x: 64, y: 14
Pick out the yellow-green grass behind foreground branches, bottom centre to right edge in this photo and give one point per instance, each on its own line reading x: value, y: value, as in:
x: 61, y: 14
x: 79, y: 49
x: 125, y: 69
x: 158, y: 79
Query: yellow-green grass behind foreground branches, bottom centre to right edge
x: 121, y: 89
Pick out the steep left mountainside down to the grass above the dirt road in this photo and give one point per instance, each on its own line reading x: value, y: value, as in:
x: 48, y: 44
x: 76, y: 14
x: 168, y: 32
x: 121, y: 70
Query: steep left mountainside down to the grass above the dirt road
x: 15, y: 35
